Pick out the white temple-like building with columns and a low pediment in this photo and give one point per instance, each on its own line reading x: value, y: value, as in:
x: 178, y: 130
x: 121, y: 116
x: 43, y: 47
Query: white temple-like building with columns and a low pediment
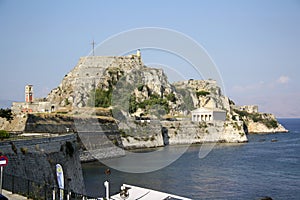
x: 208, y: 114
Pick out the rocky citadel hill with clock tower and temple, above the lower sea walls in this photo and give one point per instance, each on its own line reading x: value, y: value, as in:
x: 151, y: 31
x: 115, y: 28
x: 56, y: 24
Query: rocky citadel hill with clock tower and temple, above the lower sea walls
x: 192, y: 100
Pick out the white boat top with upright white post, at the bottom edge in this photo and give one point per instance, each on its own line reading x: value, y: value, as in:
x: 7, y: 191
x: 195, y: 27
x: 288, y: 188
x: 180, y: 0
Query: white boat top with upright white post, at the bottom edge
x: 130, y: 192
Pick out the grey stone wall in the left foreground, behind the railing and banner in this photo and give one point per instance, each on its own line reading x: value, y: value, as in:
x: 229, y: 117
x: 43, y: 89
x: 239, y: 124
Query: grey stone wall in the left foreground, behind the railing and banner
x: 36, y: 159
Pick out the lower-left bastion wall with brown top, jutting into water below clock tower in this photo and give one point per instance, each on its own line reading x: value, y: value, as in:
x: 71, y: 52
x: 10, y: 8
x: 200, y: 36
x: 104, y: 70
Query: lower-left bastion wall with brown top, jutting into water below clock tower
x: 99, y: 136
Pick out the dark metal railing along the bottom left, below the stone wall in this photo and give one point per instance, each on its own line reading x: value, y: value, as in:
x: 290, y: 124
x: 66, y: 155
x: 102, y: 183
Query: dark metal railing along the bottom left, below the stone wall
x: 35, y: 190
